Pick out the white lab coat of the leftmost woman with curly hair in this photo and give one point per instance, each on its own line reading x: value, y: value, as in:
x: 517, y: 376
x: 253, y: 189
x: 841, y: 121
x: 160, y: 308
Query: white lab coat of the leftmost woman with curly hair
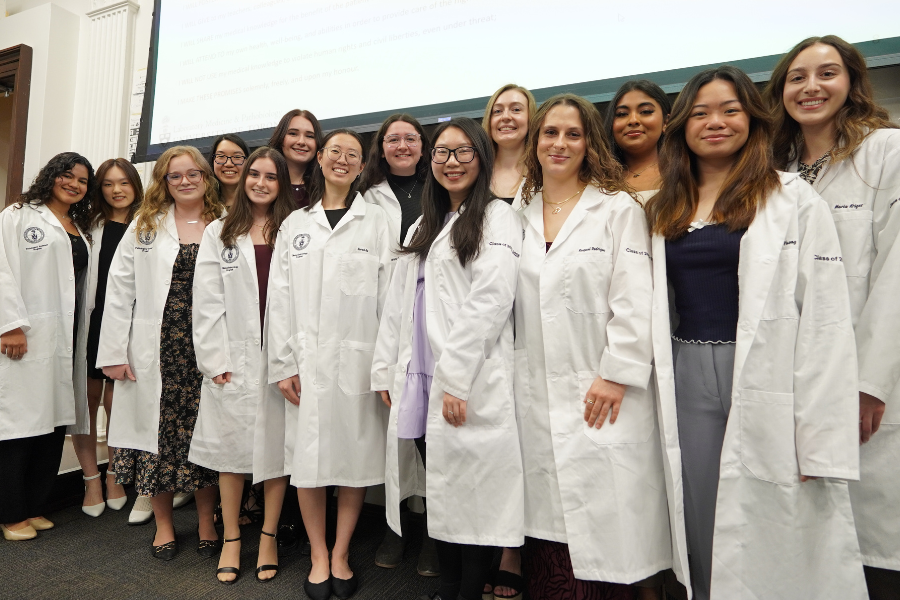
x: 37, y: 293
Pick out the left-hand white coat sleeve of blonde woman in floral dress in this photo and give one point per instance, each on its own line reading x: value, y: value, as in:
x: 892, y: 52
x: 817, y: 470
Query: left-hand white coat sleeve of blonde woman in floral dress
x: 117, y: 312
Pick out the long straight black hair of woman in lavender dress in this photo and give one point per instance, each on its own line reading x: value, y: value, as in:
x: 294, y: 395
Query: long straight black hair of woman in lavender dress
x: 468, y: 230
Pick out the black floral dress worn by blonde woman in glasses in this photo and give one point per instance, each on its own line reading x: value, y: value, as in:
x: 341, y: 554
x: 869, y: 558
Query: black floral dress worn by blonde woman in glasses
x: 170, y: 471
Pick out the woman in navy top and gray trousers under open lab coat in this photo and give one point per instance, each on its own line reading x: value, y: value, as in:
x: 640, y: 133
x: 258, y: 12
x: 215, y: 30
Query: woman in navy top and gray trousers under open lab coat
x: 757, y: 381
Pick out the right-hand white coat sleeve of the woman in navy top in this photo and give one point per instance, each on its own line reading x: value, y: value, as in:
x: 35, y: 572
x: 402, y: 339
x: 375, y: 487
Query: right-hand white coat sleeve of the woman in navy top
x: 826, y: 403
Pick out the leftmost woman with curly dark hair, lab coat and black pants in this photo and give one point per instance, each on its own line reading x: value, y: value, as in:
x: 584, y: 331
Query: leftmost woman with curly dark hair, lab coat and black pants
x: 44, y: 269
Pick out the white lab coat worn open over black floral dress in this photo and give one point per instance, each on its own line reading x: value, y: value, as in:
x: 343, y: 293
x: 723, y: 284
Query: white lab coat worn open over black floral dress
x: 136, y: 293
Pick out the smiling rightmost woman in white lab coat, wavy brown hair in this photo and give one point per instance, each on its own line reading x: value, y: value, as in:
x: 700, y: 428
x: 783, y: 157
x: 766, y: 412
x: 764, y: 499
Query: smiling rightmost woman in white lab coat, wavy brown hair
x: 831, y: 130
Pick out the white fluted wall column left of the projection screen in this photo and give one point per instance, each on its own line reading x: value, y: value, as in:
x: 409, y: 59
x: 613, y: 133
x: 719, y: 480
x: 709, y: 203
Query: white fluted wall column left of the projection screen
x: 106, y: 102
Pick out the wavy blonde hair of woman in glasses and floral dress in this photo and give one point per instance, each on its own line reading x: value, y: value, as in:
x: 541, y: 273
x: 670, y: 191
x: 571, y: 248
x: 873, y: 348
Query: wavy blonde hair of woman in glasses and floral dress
x: 157, y: 200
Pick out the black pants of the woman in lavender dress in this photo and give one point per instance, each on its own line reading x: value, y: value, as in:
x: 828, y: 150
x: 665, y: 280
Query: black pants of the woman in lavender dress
x: 464, y: 568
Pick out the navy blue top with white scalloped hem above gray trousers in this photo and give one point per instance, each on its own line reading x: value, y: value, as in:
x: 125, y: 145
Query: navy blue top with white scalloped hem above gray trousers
x: 702, y: 267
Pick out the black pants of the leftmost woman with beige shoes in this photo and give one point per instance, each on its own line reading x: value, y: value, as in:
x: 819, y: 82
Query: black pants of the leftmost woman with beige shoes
x: 28, y: 468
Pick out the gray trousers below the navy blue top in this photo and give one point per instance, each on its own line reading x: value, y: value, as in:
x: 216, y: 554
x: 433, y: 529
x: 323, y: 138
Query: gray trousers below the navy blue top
x: 703, y: 374
